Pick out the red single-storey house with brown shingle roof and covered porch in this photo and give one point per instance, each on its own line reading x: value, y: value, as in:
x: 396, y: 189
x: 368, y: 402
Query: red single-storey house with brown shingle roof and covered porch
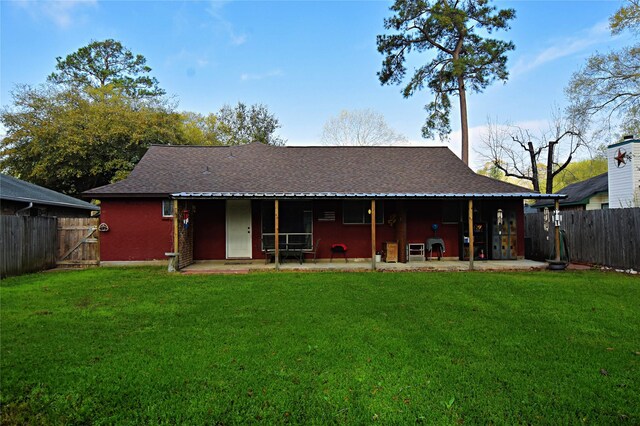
x: 224, y: 202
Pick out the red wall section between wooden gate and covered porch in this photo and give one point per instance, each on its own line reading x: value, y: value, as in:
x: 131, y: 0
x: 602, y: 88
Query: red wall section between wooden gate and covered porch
x: 137, y: 230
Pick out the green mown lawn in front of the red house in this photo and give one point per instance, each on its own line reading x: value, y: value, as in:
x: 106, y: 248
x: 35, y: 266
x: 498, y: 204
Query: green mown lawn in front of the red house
x: 138, y: 345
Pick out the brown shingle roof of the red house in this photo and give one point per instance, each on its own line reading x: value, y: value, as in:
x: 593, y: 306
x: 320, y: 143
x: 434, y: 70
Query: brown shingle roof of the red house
x: 263, y: 169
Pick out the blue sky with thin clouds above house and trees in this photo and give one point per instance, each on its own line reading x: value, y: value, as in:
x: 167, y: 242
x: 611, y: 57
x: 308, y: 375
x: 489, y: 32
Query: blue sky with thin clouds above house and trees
x: 305, y: 60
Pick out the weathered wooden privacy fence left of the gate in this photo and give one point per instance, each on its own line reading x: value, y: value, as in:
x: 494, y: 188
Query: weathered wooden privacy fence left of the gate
x: 27, y: 244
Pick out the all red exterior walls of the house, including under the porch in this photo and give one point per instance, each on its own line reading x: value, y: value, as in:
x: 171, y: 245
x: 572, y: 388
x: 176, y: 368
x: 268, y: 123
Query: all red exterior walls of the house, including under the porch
x: 137, y: 230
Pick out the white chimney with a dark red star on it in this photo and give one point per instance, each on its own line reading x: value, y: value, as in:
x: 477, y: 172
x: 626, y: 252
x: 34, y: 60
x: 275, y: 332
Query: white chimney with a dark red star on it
x: 623, y: 159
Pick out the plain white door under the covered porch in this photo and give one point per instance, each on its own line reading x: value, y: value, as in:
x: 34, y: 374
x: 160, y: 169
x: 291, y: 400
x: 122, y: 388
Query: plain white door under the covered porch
x: 238, y: 229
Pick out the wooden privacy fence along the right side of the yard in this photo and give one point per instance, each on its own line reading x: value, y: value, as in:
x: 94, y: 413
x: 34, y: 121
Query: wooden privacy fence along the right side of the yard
x: 601, y: 237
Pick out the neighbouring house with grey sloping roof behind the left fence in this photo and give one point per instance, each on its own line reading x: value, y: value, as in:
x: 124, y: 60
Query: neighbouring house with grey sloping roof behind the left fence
x: 18, y: 197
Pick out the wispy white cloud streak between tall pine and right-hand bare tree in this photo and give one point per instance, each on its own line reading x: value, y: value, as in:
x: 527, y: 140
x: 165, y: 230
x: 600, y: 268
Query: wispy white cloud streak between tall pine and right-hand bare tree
x: 563, y: 47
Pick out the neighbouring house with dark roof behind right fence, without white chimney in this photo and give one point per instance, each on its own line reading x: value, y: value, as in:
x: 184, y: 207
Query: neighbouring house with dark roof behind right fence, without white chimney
x: 590, y: 194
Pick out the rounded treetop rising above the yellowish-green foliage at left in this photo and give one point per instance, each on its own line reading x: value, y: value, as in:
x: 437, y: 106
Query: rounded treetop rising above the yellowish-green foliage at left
x: 103, y: 63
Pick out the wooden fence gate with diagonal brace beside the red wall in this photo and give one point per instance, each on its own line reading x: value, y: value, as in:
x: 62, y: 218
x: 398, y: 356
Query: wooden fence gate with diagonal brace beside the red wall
x: 78, y: 242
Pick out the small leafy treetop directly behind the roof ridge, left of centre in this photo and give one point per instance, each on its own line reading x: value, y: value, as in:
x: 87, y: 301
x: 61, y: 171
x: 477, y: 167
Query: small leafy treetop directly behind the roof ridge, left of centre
x: 244, y: 124
